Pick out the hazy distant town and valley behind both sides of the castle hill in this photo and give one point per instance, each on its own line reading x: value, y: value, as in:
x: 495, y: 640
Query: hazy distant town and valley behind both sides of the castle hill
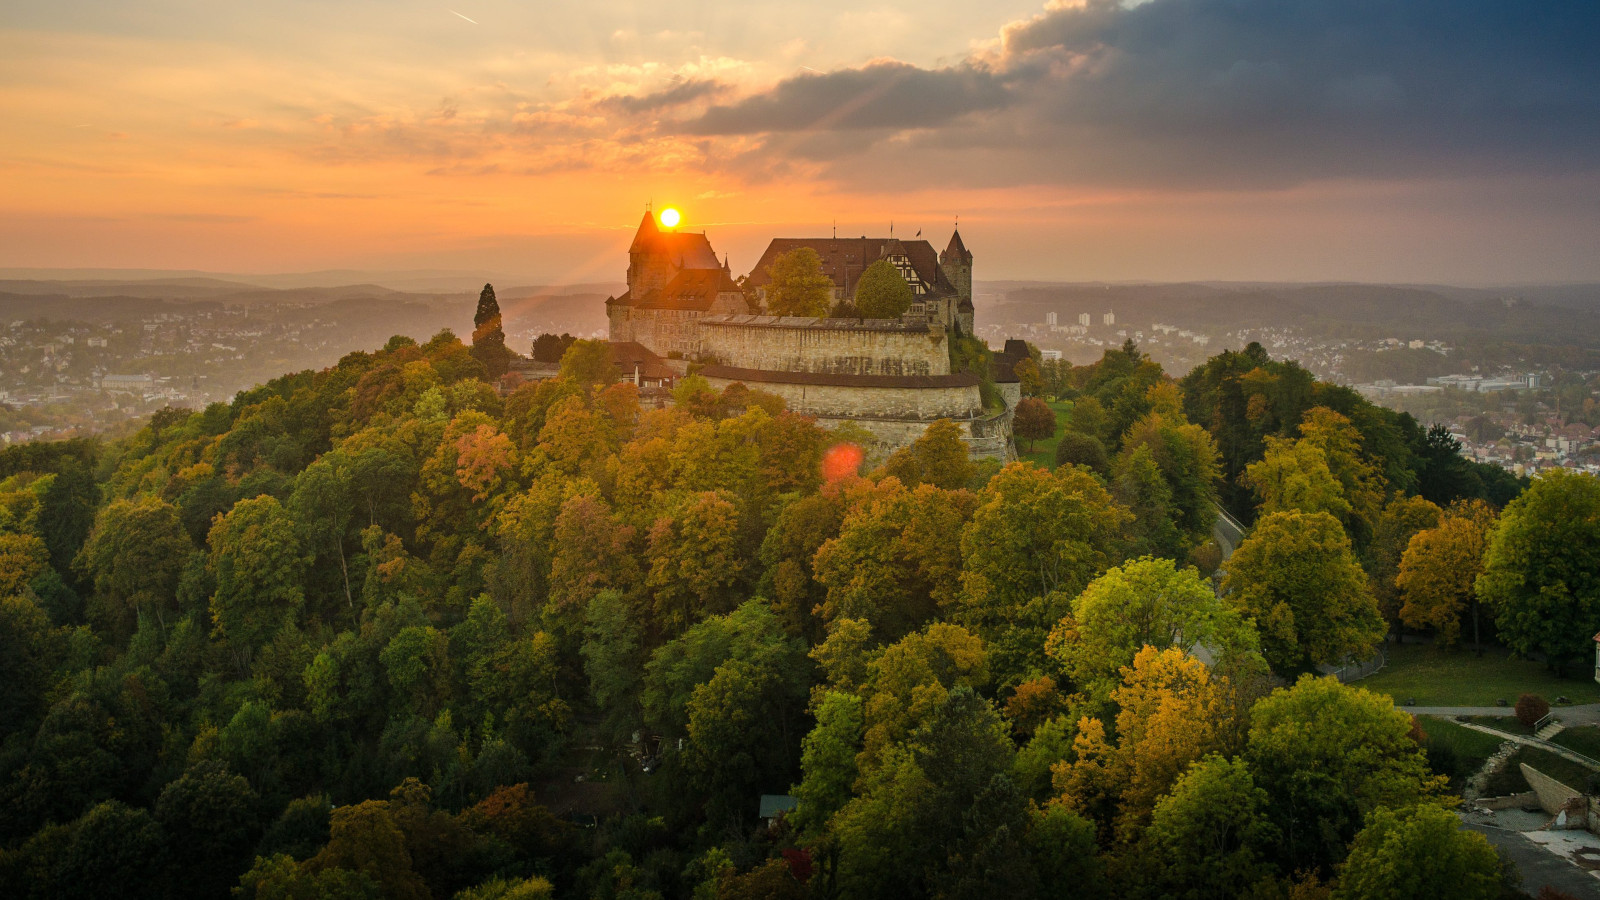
x: 73, y: 377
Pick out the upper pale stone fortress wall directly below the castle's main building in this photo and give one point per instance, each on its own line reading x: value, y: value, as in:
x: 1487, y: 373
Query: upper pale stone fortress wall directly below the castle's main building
x: 844, y: 347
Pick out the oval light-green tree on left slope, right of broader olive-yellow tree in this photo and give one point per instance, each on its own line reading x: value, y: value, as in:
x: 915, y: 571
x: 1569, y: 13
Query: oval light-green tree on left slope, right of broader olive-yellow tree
x: 260, y: 569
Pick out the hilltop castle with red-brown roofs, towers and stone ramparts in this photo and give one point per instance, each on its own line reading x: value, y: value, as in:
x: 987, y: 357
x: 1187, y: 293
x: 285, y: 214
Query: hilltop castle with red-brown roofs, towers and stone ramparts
x: 887, y: 376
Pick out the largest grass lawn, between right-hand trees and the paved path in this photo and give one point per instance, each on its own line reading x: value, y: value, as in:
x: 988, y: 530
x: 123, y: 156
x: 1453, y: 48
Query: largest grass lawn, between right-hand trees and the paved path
x: 1442, y: 678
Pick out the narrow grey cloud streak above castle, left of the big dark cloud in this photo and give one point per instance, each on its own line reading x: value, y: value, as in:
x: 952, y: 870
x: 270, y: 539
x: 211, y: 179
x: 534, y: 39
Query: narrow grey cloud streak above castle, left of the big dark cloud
x: 882, y: 95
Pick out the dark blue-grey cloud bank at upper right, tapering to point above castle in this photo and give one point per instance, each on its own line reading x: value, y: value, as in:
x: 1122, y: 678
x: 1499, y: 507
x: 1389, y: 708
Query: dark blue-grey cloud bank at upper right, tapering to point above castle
x: 1222, y: 94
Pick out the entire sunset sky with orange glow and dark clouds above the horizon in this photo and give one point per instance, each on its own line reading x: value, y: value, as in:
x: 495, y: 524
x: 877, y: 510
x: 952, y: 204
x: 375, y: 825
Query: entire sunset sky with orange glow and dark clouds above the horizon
x: 1449, y: 142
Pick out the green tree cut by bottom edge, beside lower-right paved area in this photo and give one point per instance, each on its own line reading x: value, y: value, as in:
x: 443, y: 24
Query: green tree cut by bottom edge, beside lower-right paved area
x: 1420, y: 854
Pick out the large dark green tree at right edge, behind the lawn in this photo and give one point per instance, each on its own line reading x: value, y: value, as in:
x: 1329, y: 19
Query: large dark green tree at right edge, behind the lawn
x: 1542, y: 571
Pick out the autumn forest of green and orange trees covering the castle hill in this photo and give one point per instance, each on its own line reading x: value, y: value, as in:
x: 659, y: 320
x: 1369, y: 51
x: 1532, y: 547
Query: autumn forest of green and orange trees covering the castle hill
x: 386, y: 630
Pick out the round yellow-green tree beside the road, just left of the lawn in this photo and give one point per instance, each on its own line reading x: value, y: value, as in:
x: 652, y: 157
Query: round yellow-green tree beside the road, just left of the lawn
x: 1297, y: 579
